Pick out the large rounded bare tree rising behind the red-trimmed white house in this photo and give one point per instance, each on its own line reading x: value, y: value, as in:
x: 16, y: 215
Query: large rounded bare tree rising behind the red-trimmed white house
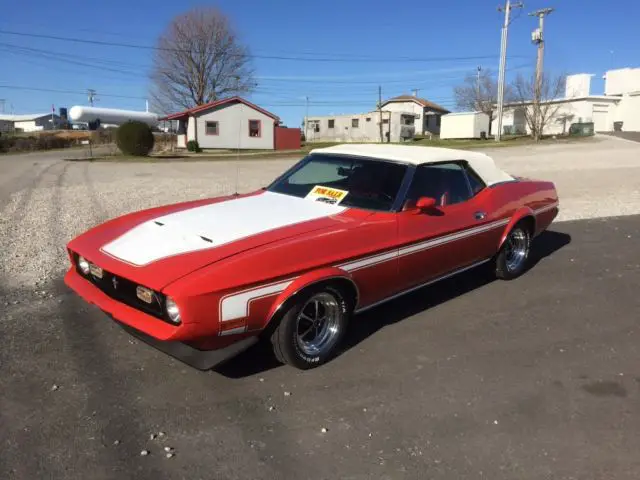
x: 199, y: 59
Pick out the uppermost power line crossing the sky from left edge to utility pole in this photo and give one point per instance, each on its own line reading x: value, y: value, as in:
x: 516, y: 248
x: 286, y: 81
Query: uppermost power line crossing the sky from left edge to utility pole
x: 267, y: 57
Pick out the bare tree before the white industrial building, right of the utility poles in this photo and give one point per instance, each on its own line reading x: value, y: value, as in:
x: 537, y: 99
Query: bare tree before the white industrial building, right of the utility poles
x: 539, y: 114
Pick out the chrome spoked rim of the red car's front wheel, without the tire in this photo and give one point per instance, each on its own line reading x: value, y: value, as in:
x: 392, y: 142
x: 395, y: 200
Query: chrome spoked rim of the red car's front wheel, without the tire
x: 318, y: 324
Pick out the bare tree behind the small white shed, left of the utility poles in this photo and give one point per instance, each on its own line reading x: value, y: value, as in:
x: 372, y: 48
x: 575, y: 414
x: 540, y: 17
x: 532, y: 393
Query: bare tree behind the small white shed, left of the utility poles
x: 480, y: 96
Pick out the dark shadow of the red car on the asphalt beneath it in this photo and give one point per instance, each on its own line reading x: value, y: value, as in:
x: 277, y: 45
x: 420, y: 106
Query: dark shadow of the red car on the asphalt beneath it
x: 259, y: 358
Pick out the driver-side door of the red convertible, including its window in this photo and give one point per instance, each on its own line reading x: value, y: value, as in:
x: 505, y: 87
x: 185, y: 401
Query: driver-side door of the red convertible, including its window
x: 441, y: 239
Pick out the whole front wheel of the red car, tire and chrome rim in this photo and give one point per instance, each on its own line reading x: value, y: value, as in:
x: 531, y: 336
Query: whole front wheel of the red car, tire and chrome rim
x: 311, y: 328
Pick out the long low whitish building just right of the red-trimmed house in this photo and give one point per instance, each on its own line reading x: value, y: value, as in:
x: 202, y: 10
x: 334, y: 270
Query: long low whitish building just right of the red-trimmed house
x: 361, y: 127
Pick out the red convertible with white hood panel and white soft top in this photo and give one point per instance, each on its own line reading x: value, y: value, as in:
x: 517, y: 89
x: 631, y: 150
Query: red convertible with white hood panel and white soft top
x: 345, y: 229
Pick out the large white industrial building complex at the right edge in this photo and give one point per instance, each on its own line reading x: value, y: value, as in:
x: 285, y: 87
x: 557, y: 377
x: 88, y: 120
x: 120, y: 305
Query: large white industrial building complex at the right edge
x: 621, y: 103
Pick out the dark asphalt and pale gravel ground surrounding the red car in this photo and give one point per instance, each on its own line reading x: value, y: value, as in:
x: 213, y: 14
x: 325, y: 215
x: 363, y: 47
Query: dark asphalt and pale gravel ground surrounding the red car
x: 470, y: 378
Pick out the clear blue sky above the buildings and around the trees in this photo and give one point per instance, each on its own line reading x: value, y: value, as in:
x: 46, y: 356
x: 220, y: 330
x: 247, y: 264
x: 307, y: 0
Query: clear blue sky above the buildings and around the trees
x: 583, y: 36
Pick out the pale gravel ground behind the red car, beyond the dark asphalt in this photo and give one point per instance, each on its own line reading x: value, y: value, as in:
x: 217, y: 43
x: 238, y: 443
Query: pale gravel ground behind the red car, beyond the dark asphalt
x: 46, y: 201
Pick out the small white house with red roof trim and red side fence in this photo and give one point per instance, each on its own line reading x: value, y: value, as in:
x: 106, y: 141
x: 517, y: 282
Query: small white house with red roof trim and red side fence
x: 233, y: 123
